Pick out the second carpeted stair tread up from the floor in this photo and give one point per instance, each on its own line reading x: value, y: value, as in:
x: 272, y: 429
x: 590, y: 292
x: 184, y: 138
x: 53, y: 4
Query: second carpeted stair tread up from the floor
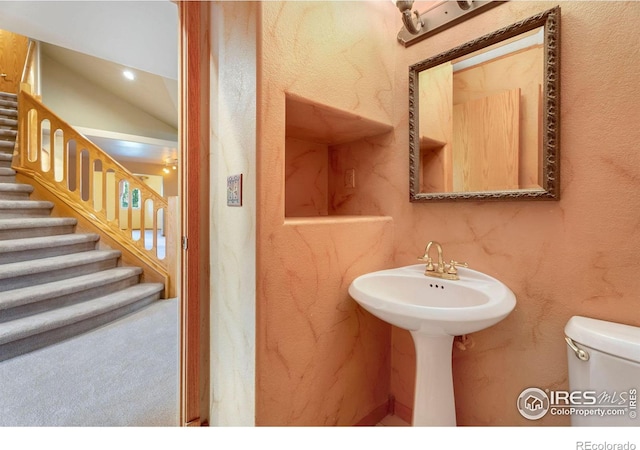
x: 67, y: 287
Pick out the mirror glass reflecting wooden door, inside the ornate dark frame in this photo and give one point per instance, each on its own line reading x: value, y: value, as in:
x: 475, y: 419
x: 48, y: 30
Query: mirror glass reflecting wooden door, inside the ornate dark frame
x: 480, y: 119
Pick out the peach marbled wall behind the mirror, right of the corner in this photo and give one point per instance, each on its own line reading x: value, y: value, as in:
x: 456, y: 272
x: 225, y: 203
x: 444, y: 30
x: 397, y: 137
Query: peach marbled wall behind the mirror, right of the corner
x: 577, y: 256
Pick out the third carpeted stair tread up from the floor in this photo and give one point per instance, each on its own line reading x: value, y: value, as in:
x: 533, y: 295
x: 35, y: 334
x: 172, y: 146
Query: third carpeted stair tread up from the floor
x: 55, y: 263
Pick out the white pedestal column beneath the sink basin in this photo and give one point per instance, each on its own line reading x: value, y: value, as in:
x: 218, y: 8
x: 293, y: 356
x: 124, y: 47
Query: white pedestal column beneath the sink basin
x: 433, y: 403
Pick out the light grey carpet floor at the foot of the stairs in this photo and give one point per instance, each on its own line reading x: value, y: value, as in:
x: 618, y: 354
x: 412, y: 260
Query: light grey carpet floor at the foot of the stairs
x: 122, y: 374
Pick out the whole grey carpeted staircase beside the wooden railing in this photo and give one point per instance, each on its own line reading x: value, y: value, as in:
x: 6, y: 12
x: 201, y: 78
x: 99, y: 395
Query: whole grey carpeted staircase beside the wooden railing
x: 54, y: 283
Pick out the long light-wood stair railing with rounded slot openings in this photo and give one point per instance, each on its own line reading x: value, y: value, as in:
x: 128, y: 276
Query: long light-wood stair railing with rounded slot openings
x: 89, y: 181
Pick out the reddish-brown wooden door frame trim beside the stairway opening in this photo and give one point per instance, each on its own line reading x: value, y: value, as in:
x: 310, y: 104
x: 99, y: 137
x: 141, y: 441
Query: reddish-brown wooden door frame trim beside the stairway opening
x: 195, y: 50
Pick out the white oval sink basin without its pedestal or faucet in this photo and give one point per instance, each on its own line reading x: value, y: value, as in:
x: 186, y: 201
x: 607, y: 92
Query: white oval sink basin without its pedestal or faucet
x: 408, y: 299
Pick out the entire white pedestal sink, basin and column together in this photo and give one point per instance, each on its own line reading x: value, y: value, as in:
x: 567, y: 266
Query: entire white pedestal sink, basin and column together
x: 434, y: 311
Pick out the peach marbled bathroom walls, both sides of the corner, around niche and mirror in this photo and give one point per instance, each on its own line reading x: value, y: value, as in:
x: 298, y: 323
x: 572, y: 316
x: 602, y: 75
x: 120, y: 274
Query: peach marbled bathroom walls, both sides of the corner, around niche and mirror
x: 320, y: 359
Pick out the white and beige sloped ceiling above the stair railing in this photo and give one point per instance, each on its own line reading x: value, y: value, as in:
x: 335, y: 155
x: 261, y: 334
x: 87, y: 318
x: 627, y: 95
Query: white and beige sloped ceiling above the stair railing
x: 96, y: 40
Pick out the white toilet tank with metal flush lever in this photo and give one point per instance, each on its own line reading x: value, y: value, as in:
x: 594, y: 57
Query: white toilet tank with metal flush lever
x: 609, y: 371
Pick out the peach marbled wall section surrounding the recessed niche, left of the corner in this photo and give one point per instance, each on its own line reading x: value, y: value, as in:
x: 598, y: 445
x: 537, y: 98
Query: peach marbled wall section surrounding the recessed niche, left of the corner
x: 320, y: 359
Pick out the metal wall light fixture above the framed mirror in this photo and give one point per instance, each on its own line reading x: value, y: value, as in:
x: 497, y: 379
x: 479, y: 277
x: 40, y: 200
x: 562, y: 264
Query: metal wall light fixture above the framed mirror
x: 443, y: 15
